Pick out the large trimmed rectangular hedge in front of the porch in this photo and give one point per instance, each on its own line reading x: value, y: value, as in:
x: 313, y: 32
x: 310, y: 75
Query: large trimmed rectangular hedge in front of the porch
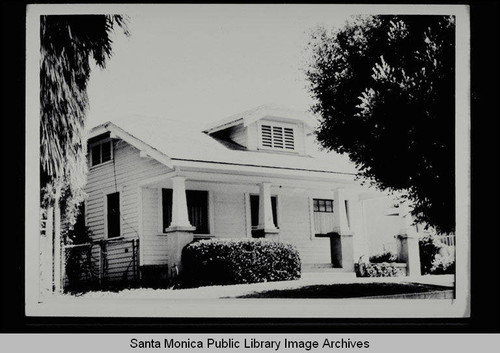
x: 225, y: 261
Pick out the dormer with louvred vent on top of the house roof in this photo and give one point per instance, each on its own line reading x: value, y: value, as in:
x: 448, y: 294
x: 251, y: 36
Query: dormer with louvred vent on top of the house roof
x: 266, y: 128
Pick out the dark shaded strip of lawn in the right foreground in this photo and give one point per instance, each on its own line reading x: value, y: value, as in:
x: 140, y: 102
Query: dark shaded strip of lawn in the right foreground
x: 348, y: 290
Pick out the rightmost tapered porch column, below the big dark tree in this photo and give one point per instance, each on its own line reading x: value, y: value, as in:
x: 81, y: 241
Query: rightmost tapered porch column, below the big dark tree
x: 408, y: 247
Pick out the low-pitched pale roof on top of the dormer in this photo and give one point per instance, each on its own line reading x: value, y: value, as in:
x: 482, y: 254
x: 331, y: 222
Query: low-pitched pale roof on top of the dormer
x: 248, y: 117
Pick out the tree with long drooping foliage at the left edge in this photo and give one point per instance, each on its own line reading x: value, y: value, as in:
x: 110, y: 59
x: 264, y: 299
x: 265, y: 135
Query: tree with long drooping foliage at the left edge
x: 68, y: 43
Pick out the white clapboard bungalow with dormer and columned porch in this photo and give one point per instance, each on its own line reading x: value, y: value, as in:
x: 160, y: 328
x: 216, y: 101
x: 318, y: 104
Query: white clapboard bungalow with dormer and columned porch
x: 255, y: 174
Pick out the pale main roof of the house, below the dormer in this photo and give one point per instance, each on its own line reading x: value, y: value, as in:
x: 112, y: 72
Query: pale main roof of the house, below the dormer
x: 169, y: 141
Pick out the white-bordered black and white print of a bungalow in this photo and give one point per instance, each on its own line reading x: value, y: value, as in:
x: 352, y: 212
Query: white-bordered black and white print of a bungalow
x: 248, y: 161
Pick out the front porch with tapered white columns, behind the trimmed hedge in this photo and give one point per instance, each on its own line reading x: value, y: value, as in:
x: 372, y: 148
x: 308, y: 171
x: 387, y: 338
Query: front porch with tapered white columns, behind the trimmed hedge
x: 187, y: 205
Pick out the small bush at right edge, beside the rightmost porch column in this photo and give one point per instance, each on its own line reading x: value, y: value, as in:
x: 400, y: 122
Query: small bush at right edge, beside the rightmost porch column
x: 435, y: 257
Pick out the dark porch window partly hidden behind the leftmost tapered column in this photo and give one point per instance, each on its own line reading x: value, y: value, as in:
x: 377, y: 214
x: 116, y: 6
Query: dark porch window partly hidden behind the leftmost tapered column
x: 197, y: 203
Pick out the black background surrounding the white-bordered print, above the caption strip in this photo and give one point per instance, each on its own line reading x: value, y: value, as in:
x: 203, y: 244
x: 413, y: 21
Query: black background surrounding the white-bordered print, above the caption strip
x: 485, y: 317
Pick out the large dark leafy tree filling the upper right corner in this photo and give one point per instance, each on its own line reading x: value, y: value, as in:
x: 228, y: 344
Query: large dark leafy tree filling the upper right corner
x: 384, y: 88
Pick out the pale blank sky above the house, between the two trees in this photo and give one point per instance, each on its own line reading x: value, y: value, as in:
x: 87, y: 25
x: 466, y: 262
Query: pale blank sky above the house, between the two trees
x: 204, y: 63
